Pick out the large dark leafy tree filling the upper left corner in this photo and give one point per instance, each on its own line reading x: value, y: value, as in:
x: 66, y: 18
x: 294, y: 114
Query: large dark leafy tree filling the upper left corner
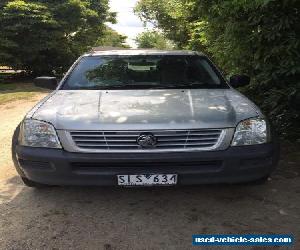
x: 40, y: 36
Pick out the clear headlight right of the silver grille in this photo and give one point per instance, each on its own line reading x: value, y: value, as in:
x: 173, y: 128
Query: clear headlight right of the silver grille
x: 251, y: 131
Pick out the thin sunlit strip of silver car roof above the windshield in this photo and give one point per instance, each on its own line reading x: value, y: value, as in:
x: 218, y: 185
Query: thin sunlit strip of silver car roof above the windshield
x: 135, y: 52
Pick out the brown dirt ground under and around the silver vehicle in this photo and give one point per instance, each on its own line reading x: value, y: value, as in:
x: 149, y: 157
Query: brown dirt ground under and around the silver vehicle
x: 148, y: 218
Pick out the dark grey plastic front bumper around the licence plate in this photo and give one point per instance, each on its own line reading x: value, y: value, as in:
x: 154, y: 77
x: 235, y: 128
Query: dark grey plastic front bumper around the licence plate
x: 58, y: 167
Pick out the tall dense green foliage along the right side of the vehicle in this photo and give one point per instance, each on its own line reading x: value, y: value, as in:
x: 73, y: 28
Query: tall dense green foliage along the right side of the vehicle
x: 257, y: 37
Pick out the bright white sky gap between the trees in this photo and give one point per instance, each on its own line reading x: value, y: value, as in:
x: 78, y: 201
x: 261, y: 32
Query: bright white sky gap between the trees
x: 127, y: 23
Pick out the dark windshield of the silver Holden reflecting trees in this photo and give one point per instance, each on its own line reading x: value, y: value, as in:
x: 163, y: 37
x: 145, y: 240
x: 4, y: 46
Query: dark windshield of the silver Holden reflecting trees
x: 143, y: 72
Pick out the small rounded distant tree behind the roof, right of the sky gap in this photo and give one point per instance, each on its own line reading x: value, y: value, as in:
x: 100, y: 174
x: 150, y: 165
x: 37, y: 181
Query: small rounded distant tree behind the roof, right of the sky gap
x: 153, y: 39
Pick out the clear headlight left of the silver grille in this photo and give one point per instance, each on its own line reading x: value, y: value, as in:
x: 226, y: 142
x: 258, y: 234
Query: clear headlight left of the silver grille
x: 36, y: 133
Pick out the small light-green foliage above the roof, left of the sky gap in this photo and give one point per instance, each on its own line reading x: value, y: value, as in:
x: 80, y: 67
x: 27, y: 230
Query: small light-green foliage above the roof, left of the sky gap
x: 111, y: 38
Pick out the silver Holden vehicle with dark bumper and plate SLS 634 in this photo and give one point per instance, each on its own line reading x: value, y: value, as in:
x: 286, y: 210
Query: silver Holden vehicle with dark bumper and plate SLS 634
x: 143, y: 118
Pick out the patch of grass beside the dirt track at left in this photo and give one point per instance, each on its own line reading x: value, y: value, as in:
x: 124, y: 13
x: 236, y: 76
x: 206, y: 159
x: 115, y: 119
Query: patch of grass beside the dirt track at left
x: 15, y: 91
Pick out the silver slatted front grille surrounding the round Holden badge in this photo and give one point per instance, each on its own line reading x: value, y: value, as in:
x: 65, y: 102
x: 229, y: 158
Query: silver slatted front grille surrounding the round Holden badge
x: 166, y: 139
